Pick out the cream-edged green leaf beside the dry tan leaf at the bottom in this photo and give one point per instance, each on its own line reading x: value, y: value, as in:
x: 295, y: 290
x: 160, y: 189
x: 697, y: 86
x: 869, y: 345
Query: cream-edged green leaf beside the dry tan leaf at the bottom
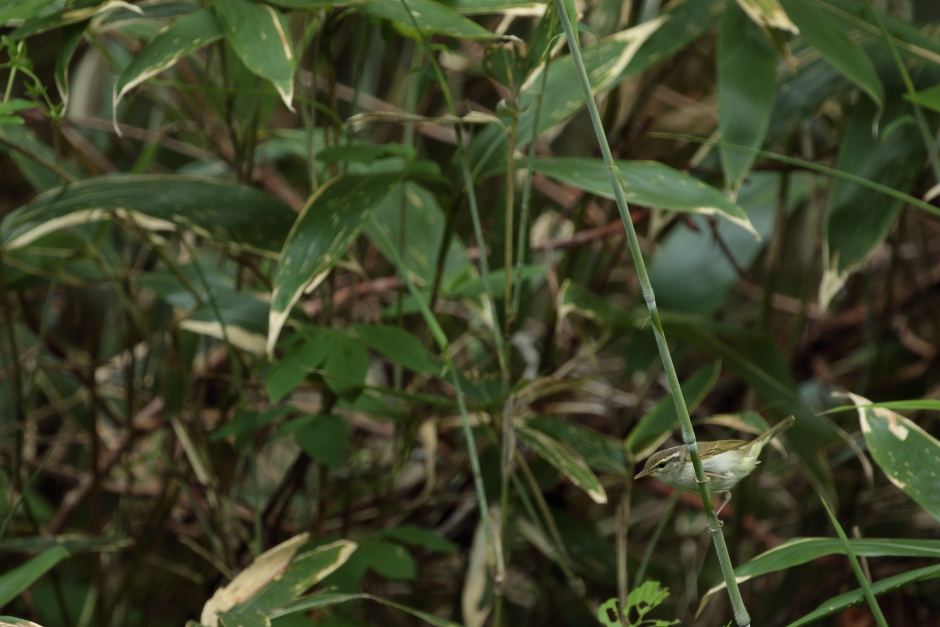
x: 304, y: 570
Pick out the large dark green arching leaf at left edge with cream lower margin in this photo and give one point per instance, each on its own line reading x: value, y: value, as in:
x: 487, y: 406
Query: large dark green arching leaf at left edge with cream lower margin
x: 160, y: 203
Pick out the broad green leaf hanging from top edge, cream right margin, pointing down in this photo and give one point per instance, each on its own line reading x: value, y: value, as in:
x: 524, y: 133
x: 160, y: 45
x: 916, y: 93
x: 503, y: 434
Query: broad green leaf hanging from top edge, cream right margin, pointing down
x: 261, y: 38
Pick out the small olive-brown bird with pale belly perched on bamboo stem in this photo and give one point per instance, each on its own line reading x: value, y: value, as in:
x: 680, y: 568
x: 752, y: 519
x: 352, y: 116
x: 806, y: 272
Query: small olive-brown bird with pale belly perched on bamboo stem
x: 725, y: 463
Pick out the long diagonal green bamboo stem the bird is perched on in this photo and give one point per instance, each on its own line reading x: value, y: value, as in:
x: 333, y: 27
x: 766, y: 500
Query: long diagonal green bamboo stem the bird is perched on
x: 741, y: 616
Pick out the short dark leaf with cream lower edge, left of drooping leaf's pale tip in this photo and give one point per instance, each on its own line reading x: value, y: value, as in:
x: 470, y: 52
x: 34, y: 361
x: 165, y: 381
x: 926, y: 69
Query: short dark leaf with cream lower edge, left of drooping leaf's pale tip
x: 245, y: 319
